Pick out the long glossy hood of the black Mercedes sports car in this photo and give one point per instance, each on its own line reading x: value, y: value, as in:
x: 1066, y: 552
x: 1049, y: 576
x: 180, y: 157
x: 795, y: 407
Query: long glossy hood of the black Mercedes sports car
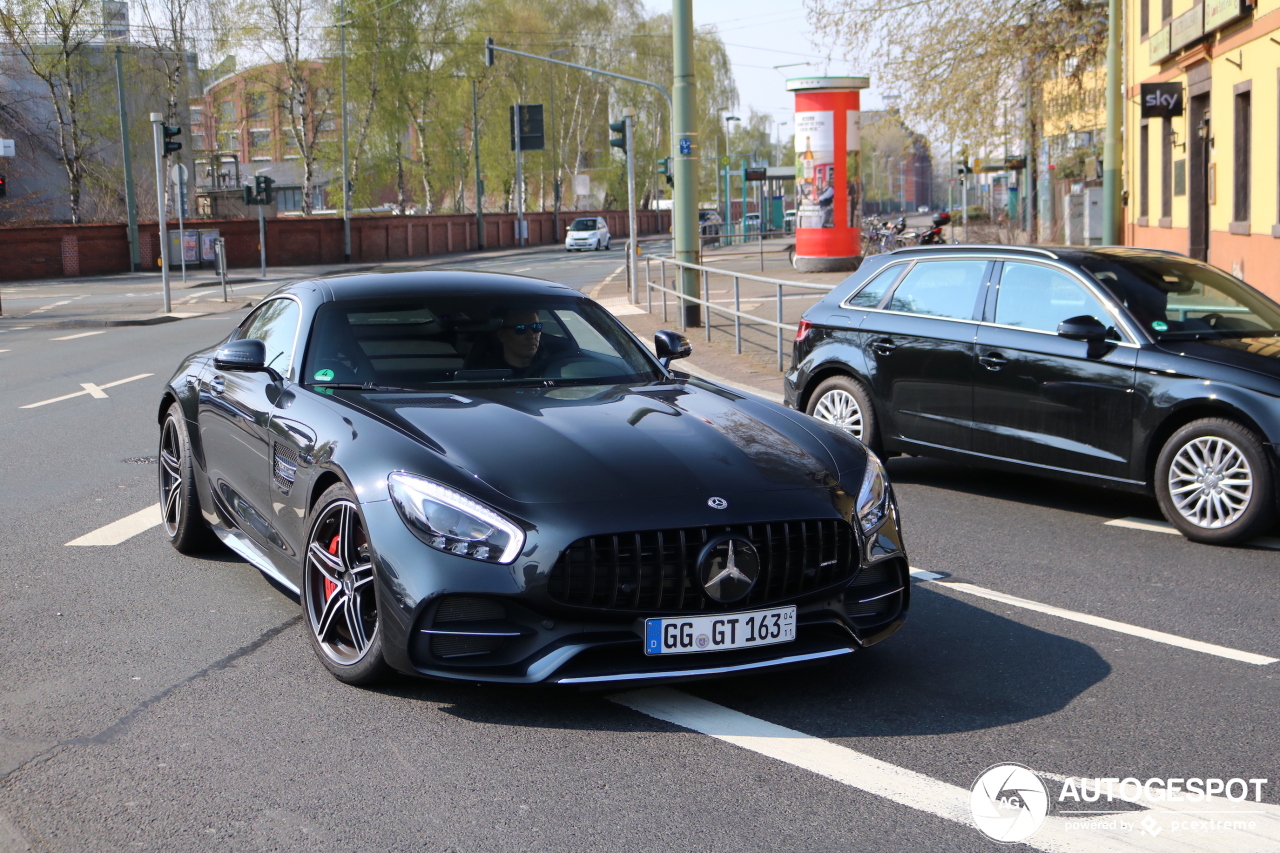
x: 604, y: 444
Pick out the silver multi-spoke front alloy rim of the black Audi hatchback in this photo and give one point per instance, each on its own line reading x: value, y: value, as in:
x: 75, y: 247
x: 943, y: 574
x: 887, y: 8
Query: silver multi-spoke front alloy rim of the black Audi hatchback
x: 1210, y: 482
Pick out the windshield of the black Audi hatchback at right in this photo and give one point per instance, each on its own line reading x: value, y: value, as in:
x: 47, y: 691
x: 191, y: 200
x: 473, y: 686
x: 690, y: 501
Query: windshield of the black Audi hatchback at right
x: 1177, y: 299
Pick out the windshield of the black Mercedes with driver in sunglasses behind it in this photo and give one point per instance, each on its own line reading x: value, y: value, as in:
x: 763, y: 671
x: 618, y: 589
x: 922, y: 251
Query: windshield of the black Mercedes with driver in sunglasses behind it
x: 454, y: 340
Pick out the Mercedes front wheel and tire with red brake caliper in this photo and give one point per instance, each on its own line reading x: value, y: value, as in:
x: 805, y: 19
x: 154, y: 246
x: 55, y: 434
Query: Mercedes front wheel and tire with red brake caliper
x: 340, y: 600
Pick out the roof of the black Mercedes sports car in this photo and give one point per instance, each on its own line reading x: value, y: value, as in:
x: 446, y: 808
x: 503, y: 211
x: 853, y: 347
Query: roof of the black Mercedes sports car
x: 362, y: 286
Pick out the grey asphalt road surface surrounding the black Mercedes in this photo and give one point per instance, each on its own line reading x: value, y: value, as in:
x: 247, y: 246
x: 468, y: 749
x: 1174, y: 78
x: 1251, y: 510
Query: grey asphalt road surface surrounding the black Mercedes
x: 158, y: 703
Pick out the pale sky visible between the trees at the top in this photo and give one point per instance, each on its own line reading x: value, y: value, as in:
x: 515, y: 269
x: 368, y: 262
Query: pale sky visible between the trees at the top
x: 760, y: 35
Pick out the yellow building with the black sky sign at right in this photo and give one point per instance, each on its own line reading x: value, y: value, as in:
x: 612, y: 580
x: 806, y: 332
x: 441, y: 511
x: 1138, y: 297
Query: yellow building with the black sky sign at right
x: 1205, y: 180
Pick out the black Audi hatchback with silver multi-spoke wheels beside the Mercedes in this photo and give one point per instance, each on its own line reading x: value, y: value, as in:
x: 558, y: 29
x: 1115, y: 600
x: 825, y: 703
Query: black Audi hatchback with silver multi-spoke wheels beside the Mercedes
x: 1126, y: 368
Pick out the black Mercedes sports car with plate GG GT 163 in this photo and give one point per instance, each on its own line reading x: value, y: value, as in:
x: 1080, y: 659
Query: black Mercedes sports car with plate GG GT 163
x: 490, y: 478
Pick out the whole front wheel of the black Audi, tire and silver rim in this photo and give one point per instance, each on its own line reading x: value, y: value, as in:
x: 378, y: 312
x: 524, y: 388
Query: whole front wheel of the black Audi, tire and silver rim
x: 1214, y: 482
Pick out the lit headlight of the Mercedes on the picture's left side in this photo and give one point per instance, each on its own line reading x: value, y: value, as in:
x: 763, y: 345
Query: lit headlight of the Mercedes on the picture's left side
x: 454, y: 523
